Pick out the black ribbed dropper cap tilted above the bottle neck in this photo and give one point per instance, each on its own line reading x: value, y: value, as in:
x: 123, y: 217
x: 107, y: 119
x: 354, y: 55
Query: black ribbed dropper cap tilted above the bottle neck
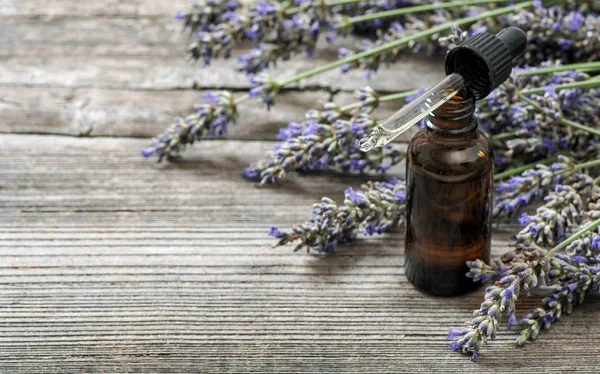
x: 485, y: 60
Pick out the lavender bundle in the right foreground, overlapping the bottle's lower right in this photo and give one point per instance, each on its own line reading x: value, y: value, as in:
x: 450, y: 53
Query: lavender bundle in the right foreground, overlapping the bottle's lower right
x: 566, y: 277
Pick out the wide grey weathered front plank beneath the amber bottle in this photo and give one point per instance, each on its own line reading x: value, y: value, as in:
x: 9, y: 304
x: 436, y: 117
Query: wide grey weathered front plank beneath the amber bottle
x: 112, y: 263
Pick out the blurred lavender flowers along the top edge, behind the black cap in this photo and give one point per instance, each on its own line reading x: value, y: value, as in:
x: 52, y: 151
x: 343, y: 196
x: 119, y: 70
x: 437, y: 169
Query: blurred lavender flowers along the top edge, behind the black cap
x: 565, y: 30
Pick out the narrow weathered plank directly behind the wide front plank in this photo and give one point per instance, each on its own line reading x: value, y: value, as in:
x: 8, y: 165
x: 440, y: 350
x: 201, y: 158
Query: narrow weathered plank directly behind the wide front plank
x: 103, y: 112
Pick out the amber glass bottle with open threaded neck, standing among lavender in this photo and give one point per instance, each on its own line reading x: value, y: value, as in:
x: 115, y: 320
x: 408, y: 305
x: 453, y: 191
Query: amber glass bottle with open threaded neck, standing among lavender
x: 449, y: 189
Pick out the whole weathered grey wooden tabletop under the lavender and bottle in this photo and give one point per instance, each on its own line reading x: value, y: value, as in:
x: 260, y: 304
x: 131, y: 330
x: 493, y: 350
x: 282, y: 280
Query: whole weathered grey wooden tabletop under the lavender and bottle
x: 113, y: 263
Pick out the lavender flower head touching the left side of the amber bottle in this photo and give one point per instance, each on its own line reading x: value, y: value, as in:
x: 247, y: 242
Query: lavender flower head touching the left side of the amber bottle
x: 378, y: 208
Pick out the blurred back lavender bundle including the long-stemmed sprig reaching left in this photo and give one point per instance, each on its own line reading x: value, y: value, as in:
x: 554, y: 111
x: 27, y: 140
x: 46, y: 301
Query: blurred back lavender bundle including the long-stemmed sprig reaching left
x: 572, y: 26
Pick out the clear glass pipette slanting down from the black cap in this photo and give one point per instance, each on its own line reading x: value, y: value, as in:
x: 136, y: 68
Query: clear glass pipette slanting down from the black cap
x: 413, y: 112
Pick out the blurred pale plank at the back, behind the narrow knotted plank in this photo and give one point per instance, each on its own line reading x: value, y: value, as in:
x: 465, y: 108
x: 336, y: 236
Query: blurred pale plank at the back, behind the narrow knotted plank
x: 150, y: 54
